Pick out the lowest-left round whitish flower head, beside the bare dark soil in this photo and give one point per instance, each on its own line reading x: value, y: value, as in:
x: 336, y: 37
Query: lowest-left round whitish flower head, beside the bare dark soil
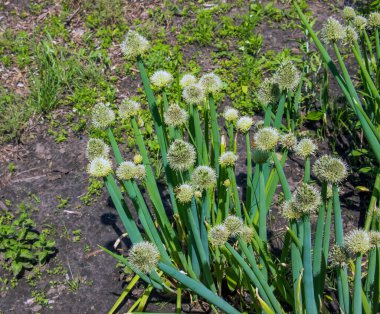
x: 144, y: 256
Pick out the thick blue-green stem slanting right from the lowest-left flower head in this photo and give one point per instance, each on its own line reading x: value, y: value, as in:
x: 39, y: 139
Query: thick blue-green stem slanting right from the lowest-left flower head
x: 198, y: 288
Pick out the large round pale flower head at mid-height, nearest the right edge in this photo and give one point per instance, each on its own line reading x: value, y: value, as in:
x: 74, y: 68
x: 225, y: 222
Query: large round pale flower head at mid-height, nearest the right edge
x: 330, y: 169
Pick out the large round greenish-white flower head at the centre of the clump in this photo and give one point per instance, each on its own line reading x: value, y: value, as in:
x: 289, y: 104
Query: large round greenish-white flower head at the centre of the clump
x: 181, y: 155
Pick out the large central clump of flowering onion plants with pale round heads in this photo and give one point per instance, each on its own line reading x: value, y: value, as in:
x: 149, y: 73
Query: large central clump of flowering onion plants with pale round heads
x: 209, y: 240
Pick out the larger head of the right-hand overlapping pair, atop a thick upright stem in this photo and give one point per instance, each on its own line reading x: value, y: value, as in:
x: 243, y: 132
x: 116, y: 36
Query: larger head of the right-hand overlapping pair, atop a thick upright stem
x: 307, y: 199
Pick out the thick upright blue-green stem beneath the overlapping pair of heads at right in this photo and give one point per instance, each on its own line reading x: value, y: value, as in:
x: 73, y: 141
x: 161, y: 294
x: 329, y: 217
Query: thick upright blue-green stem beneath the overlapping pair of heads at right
x: 311, y: 307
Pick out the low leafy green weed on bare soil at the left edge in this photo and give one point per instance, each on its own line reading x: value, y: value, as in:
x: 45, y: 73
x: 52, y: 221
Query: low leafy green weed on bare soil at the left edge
x: 21, y: 245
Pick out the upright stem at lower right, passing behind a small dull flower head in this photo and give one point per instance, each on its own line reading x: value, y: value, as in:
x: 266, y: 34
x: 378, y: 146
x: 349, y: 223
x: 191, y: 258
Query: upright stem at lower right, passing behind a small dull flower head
x: 342, y: 273
